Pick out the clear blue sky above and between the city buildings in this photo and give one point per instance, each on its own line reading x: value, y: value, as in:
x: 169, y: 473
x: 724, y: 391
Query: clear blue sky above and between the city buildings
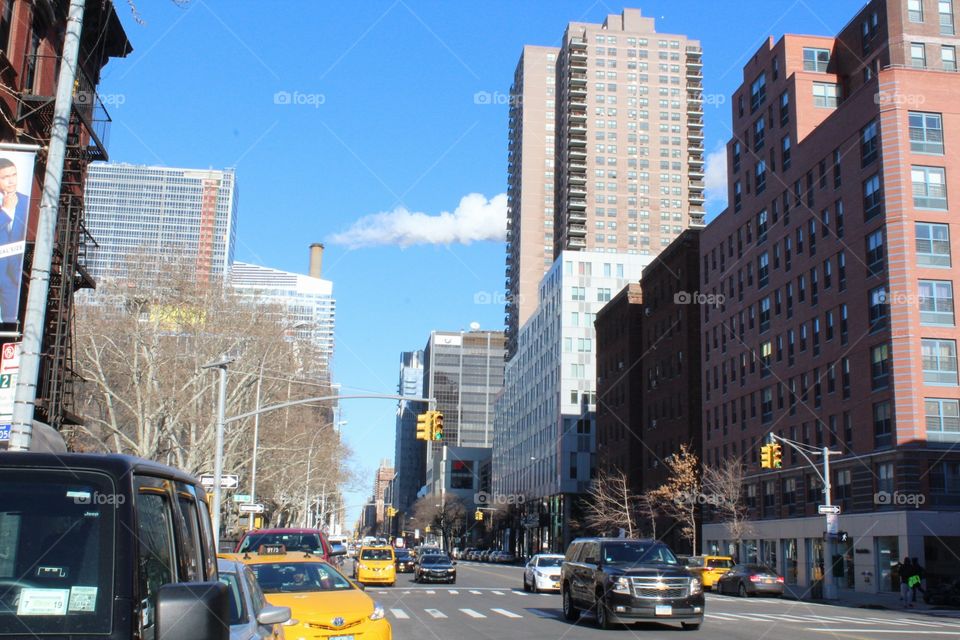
x: 333, y: 111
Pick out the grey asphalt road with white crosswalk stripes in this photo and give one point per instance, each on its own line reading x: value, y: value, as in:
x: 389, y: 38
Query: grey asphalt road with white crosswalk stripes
x: 488, y: 602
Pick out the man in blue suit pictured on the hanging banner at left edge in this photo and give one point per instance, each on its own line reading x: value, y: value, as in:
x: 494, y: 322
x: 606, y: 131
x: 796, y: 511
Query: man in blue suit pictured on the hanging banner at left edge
x: 14, y: 209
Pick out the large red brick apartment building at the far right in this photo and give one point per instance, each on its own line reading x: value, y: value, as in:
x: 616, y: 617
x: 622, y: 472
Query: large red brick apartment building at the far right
x: 835, y: 257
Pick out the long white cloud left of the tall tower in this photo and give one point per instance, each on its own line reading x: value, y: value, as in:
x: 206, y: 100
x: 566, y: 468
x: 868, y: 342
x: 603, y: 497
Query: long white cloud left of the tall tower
x: 474, y: 219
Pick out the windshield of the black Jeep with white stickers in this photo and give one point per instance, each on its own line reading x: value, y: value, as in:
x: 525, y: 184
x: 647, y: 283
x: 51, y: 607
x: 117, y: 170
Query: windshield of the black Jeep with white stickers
x: 56, y: 552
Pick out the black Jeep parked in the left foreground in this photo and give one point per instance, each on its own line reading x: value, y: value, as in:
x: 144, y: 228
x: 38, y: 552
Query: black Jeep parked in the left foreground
x: 129, y: 541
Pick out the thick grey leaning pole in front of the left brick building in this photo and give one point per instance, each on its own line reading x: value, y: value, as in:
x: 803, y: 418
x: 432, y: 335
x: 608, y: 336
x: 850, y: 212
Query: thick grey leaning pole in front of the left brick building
x: 24, y: 403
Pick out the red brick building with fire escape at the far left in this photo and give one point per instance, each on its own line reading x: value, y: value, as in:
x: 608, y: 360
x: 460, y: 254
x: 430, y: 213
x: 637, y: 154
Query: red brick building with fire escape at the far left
x: 31, y: 46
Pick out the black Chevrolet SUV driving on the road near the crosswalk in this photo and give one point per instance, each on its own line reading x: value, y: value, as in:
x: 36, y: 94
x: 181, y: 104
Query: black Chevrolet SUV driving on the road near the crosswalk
x: 623, y: 580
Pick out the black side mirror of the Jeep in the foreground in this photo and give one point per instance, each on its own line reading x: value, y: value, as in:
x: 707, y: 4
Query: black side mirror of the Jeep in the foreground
x: 193, y: 611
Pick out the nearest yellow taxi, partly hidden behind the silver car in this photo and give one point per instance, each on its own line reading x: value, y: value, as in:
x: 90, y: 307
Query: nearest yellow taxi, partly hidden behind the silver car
x: 325, y: 605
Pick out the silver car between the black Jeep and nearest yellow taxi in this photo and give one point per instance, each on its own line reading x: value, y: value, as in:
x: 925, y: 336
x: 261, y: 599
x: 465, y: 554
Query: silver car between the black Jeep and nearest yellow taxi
x: 251, y: 617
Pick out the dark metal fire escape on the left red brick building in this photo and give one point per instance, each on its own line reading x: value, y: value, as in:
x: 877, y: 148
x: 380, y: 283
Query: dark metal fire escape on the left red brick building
x: 86, y: 142
